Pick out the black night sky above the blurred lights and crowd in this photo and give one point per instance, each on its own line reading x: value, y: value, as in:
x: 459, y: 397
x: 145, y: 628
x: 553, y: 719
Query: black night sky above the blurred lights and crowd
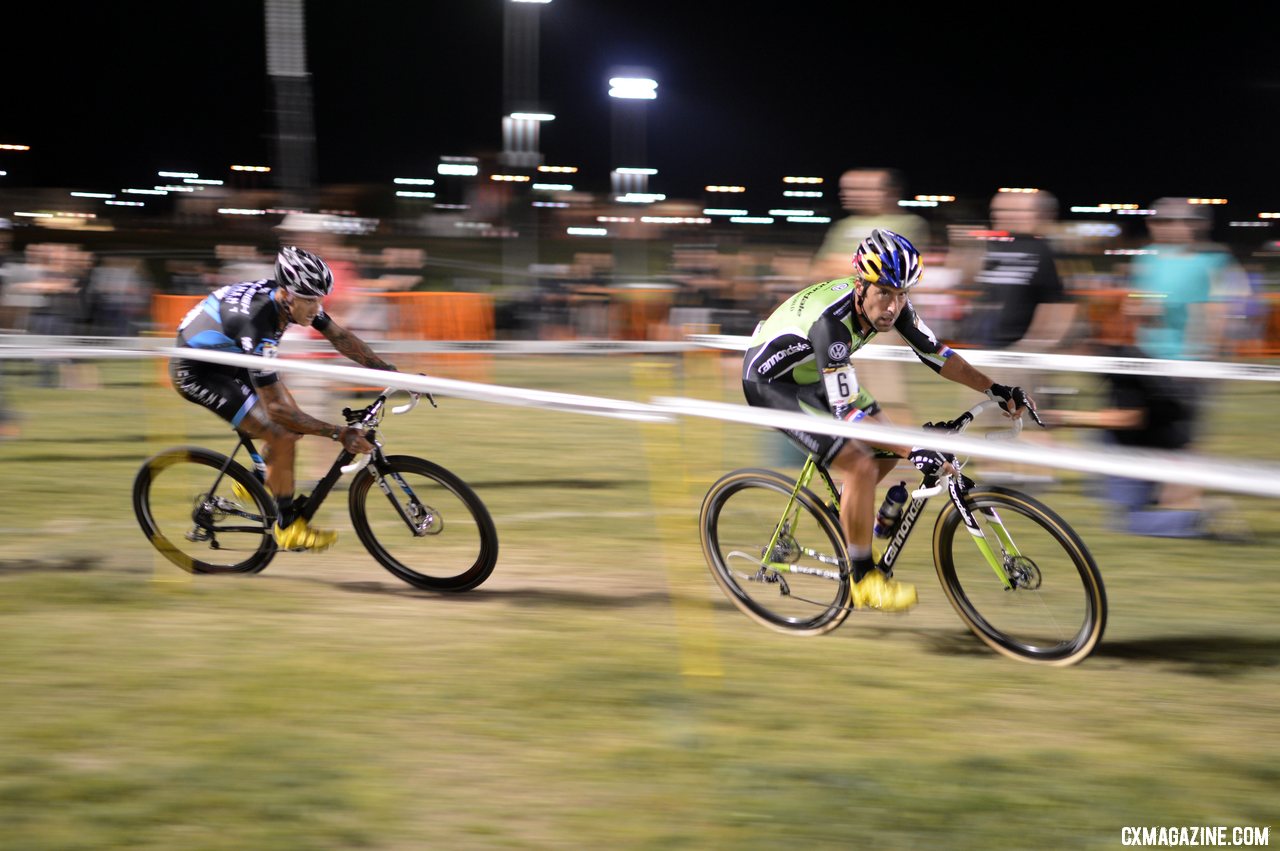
x: 1090, y: 106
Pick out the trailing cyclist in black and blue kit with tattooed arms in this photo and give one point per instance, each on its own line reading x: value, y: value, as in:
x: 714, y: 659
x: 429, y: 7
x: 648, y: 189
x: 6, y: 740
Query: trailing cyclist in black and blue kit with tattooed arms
x: 249, y: 319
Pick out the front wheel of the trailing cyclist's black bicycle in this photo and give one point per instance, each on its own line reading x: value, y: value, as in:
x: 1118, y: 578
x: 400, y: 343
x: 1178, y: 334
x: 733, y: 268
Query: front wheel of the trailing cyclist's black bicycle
x: 429, y: 560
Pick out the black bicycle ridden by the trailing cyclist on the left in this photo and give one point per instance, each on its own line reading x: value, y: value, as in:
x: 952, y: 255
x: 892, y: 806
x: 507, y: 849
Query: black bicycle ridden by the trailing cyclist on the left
x: 208, y: 514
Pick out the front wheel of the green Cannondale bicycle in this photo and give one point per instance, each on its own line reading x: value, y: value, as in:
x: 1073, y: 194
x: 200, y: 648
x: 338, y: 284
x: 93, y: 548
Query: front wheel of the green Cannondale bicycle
x: 1057, y: 612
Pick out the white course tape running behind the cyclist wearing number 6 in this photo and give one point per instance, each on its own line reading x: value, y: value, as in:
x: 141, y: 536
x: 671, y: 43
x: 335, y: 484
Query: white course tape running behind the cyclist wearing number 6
x: 1046, y: 363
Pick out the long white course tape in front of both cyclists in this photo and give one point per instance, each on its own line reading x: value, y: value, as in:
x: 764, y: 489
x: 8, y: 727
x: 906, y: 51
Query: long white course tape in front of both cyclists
x: 1258, y: 479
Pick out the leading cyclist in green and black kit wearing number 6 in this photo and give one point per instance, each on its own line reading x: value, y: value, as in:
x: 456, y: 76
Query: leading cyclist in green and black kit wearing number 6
x: 799, y: 360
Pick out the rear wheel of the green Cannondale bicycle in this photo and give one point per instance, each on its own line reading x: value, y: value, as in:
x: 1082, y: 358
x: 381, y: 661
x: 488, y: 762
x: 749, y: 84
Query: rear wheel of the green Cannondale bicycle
x: 738, y: 520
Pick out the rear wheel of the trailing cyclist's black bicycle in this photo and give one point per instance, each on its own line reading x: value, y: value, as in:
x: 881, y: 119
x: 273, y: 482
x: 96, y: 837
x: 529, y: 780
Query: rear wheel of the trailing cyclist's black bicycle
x: 189, y: 525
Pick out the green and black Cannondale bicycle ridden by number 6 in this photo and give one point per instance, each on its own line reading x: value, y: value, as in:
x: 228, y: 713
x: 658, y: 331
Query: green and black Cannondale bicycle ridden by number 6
x: 1021, y: 578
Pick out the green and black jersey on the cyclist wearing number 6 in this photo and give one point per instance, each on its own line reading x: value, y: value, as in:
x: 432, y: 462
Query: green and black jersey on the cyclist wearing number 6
x: 817, y: 330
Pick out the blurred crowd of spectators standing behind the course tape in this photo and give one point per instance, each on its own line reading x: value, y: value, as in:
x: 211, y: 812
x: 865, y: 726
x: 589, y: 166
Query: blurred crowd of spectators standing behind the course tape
x: 1014, y: 276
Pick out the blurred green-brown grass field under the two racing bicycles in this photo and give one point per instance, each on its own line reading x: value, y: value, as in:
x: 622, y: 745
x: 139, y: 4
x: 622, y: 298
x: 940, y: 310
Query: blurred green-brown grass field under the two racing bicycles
x: 598, y: 692
